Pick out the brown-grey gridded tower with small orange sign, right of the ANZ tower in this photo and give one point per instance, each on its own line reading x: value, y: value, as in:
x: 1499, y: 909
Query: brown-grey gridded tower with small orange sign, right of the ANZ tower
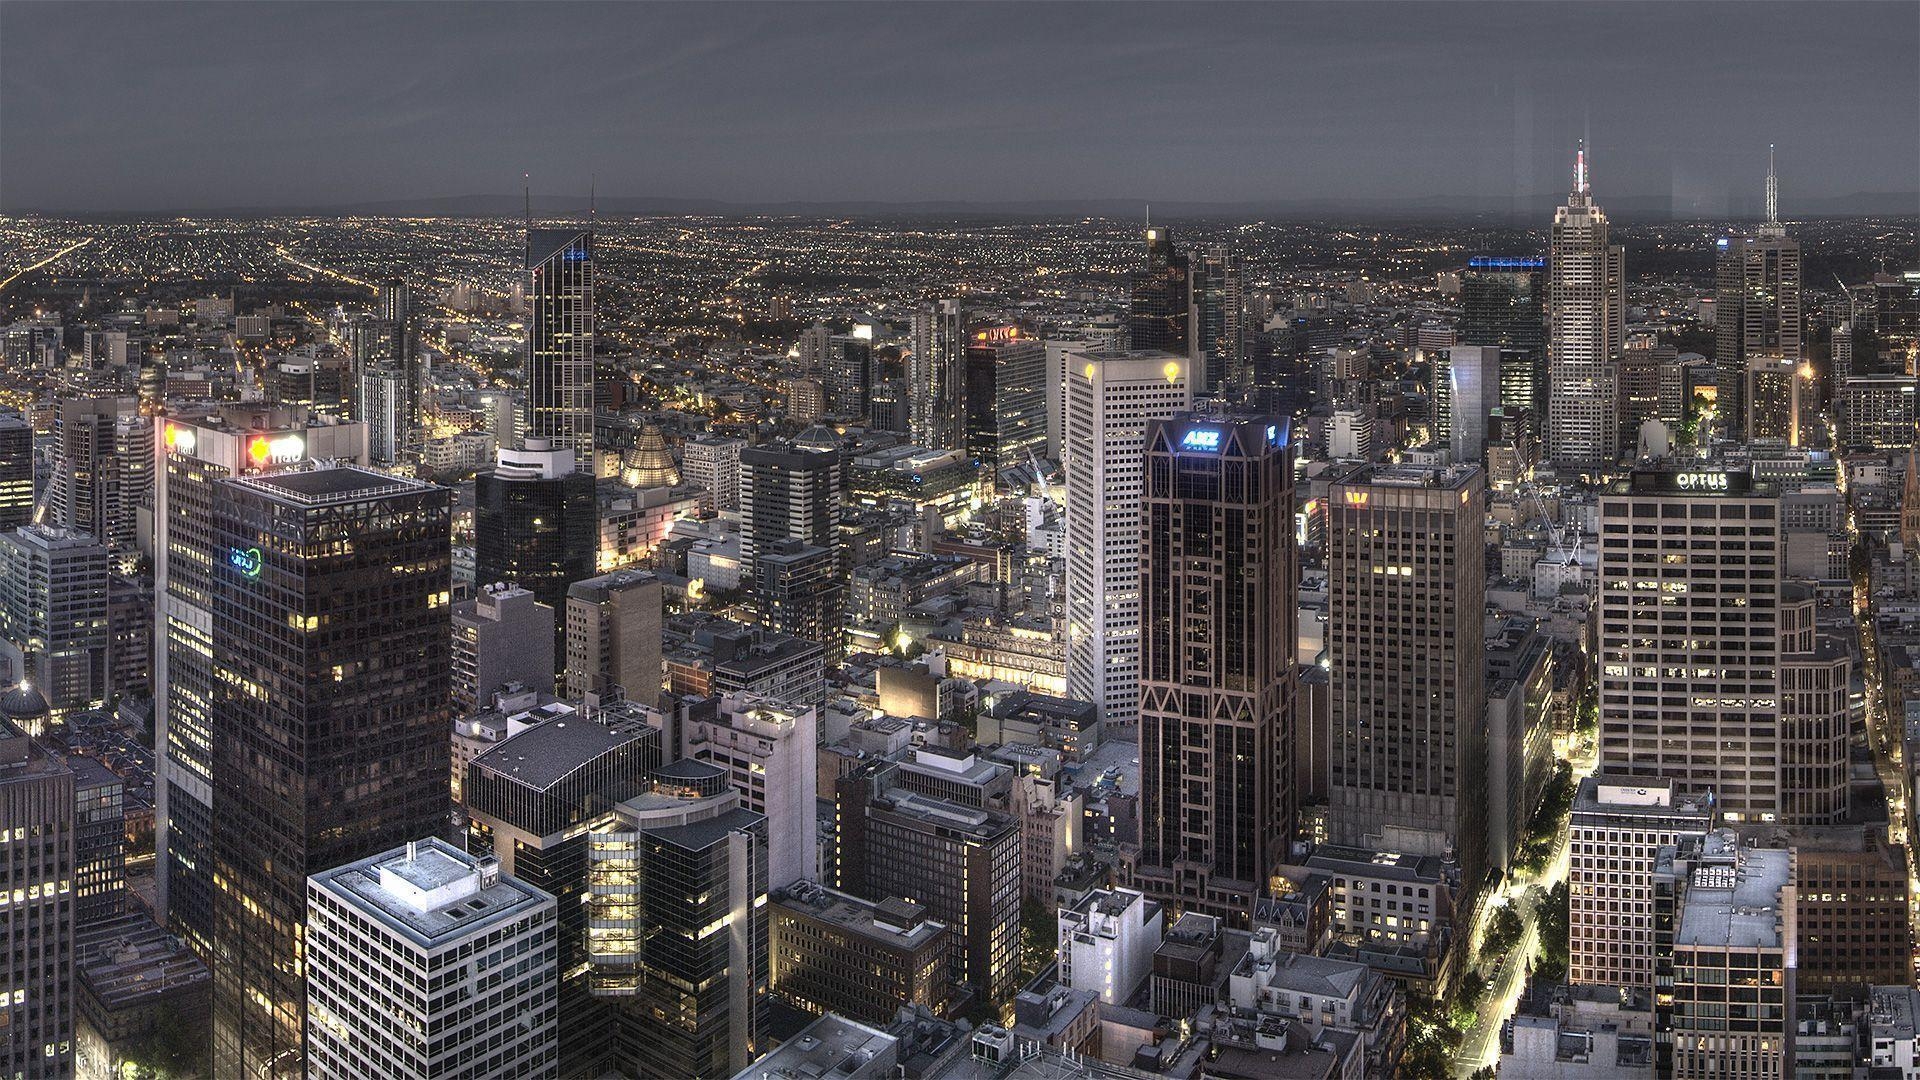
x: 1406, y: 618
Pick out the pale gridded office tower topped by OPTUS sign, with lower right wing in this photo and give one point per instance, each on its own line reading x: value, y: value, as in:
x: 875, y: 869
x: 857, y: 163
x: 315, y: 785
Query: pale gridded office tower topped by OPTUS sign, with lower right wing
x: 1712, y: 670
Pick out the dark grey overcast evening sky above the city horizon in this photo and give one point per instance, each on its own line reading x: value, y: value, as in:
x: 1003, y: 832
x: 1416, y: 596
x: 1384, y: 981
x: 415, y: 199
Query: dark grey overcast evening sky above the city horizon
x: 180, y: 107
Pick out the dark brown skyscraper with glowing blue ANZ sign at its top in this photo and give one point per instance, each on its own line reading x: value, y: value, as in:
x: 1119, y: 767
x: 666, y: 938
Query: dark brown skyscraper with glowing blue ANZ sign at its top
x: 1218, y: 631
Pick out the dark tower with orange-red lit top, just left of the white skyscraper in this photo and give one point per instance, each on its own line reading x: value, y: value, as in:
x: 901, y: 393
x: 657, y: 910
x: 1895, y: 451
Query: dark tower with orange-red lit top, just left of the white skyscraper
x: 1005, y: 403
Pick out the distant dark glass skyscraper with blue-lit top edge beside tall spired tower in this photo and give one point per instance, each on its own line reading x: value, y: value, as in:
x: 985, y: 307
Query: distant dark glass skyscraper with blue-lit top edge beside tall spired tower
x: 1504, y: 305
